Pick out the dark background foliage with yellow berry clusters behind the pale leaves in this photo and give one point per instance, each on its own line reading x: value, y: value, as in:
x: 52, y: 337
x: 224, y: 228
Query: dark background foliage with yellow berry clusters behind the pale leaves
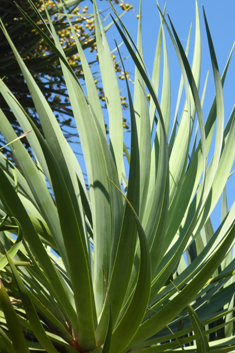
x: 42, y: 62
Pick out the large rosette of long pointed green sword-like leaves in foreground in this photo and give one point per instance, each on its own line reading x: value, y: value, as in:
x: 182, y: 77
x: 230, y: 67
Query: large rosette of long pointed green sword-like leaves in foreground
x: 103, y: 269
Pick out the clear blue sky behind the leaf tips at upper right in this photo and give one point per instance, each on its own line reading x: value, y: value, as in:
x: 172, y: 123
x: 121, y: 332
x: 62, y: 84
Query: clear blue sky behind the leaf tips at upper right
x: 220, y: 16
